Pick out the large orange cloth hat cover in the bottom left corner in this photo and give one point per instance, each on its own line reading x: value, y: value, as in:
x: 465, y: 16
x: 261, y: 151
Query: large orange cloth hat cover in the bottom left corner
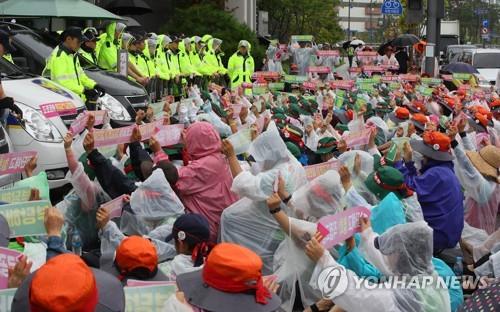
x: 64, y: 283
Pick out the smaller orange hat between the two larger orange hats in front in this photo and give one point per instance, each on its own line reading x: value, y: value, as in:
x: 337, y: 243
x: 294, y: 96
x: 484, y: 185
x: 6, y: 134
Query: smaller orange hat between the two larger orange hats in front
x: 136, y: 252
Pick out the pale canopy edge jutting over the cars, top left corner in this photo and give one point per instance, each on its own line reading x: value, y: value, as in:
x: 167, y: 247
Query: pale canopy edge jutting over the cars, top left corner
x: 79, y: 9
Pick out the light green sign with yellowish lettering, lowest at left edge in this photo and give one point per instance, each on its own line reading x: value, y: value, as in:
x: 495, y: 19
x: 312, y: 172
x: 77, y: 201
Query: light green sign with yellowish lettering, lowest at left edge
x: 26, y: 218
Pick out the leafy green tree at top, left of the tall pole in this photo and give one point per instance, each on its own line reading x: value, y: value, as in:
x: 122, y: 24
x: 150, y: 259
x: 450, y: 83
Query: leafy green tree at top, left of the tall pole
x: 303, y: 17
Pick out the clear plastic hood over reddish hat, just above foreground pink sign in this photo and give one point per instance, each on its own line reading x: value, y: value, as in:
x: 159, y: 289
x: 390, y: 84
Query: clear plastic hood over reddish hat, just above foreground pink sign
x: 320, y: 197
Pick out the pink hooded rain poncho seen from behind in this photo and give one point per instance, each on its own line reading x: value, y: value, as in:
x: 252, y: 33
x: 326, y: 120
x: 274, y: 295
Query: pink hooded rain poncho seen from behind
x: 205, y: 184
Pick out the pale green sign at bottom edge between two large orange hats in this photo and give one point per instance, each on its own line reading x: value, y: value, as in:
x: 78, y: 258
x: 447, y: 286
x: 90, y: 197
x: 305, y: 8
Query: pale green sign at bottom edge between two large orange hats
x: 147, y: 298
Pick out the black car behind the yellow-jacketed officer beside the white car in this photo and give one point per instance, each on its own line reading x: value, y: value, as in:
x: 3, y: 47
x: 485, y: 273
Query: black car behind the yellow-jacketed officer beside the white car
x: 34, y: 47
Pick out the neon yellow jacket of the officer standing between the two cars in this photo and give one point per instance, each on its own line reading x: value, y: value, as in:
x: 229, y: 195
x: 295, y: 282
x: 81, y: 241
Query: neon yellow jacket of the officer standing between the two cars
x: 63, y: 67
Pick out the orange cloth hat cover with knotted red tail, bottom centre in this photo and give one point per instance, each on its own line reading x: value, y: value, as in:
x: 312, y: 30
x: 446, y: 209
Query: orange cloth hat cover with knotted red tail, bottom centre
x: 234, y: 269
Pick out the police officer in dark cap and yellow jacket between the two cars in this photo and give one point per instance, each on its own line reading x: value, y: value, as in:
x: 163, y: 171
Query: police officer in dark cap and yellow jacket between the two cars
x: 63, y: 67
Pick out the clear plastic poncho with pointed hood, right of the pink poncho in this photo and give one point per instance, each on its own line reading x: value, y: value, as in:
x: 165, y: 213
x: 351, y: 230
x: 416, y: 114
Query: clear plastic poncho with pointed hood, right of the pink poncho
x: 248, y: 222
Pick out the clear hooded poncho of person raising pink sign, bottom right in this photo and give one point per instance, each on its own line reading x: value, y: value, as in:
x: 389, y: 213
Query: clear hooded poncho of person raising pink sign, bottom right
x: 407, y: 251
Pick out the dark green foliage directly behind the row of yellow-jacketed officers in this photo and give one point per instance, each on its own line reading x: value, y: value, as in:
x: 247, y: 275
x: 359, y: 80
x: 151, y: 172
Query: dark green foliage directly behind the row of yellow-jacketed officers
x: 207, y: 18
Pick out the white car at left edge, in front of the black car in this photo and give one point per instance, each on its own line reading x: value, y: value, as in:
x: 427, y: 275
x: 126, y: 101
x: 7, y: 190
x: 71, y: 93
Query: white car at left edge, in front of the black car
x: 36, y: 132
